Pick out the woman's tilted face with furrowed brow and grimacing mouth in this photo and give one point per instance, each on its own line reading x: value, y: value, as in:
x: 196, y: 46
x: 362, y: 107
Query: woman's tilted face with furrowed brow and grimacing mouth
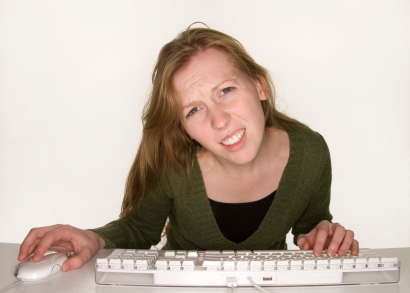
x: 221, y: 107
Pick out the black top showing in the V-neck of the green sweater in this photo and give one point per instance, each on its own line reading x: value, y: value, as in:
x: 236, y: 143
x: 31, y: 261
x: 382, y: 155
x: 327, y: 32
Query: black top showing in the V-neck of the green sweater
x: 238, y: 221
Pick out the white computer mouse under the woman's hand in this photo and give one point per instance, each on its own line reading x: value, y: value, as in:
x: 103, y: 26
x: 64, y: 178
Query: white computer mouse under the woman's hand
x: 49, y: 265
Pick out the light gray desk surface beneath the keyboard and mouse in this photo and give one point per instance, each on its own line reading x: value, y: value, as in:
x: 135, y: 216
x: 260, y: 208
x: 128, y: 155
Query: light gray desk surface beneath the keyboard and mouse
x: 82, y: 279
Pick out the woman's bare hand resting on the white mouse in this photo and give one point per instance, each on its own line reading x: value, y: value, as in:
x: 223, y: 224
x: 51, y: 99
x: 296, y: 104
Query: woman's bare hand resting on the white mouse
x: 84, y: 243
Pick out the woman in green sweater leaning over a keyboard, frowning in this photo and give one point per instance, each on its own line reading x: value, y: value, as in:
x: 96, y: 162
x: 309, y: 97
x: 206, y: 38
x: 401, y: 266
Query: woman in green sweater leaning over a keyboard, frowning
x: 219, y: 161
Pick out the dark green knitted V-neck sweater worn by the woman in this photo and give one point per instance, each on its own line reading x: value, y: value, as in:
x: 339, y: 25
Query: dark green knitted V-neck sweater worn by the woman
x: 301, y: 202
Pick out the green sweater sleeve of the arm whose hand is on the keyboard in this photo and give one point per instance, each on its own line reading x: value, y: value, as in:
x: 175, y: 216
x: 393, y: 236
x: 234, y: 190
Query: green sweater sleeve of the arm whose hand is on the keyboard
x: 318, y: 207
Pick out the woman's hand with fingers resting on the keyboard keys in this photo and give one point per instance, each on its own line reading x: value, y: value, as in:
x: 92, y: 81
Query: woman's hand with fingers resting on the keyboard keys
x: 332, y: 236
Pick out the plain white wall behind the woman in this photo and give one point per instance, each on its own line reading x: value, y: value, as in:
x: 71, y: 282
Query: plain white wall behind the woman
x: 74, y: 76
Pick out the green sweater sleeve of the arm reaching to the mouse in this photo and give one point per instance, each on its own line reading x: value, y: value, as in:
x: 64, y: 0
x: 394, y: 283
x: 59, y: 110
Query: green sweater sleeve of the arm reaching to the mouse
x: 144, y: 228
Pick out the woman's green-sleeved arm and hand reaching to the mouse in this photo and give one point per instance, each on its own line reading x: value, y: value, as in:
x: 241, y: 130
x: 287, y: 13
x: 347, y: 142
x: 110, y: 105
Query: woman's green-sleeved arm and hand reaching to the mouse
x: 140, y: 231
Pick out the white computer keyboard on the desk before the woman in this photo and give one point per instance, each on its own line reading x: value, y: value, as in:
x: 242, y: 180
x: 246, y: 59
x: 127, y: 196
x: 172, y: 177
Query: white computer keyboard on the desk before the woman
x: 242, y: 268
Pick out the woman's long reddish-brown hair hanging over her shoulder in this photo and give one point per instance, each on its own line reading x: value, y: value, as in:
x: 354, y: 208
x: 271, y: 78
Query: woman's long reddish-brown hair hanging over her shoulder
x: 165, y: 146
